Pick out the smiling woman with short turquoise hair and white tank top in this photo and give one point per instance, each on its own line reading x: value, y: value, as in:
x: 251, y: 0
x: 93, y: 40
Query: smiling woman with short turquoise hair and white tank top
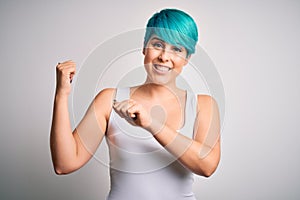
x: 158, y: 134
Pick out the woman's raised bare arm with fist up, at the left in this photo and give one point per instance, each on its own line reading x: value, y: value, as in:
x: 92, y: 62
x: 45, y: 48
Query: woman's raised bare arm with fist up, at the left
x: 70, y: 150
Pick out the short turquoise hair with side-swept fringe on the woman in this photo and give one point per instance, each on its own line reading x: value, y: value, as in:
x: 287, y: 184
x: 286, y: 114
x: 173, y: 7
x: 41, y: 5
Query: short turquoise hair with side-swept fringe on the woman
x: 174, y: 27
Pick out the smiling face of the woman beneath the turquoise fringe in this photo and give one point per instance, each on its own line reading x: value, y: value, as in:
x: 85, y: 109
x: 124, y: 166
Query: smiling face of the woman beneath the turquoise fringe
x: 163, y: 61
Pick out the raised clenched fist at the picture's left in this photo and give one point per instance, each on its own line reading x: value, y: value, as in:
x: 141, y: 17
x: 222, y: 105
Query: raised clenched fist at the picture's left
x: 64, y: 75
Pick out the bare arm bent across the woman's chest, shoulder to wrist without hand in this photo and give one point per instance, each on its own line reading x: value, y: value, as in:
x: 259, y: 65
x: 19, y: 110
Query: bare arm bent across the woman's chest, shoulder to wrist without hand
x: 202, y: 153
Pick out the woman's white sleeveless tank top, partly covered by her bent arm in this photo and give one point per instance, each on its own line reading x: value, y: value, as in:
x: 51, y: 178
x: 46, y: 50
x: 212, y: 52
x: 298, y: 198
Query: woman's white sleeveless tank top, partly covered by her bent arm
x: 141, y: 168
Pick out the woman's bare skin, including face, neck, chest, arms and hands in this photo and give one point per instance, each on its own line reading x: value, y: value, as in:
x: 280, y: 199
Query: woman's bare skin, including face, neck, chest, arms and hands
x: 156, y: 106
